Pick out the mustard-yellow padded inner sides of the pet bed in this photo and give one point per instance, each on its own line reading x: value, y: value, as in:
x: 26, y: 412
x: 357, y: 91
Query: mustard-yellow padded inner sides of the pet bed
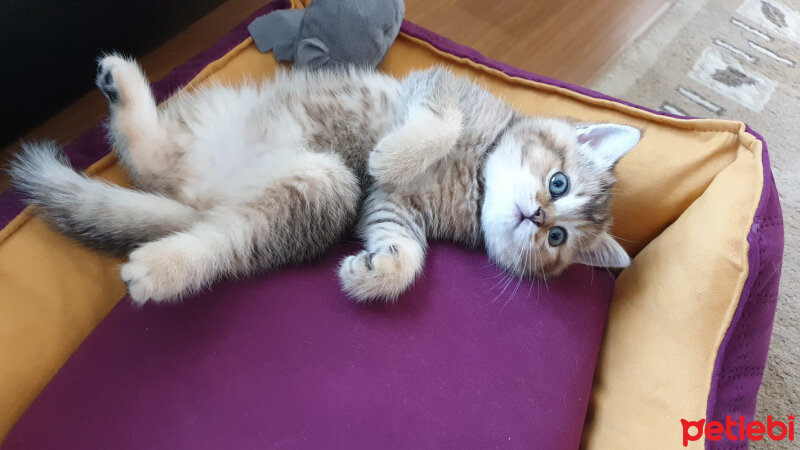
x: 684, y: 205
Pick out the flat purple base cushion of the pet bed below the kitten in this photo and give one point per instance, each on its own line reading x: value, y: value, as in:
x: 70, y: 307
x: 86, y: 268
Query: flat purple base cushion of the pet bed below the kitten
x: 285, y: 360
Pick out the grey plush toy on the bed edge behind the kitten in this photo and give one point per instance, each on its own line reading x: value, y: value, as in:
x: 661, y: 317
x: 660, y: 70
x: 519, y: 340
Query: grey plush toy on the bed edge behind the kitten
x: 331, y: 32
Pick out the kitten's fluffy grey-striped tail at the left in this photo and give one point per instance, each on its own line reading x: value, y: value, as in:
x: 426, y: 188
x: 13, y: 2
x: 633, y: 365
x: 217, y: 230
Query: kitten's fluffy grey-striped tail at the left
x: 98, y: 214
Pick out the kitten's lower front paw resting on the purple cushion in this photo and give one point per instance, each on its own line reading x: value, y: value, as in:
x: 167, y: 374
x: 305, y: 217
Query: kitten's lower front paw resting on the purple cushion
x: 381, y: 275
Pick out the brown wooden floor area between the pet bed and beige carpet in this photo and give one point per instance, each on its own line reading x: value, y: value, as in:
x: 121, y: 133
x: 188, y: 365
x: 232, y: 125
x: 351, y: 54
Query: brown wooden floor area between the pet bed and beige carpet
x: 566, y: 39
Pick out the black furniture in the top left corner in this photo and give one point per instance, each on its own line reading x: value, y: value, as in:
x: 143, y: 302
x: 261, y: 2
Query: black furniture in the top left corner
x: 48, y: 48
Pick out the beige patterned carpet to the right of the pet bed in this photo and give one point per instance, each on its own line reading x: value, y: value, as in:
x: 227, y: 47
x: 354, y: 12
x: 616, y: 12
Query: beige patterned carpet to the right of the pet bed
x: 735, y: 59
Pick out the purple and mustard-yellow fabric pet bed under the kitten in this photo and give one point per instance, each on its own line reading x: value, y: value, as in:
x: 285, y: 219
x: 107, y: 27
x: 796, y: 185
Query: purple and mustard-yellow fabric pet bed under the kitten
x: 284, y: 360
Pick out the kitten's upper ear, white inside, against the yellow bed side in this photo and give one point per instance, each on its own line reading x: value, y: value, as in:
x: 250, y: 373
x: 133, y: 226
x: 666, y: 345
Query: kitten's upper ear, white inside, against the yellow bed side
x: 607, y: 142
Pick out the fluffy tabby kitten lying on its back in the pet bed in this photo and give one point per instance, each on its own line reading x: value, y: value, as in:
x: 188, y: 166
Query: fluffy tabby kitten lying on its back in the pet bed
x: 236, y: 180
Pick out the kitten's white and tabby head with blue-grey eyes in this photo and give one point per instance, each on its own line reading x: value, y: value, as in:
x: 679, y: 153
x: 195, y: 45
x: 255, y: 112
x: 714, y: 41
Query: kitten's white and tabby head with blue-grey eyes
x: 548, y: 196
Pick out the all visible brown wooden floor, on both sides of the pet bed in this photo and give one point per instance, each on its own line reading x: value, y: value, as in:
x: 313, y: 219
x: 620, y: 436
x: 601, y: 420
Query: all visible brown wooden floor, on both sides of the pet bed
x: 566, y: 39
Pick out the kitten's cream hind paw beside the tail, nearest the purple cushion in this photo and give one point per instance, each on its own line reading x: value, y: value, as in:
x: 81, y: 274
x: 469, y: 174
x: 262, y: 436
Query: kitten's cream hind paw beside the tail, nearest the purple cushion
x: 158, y: 271
